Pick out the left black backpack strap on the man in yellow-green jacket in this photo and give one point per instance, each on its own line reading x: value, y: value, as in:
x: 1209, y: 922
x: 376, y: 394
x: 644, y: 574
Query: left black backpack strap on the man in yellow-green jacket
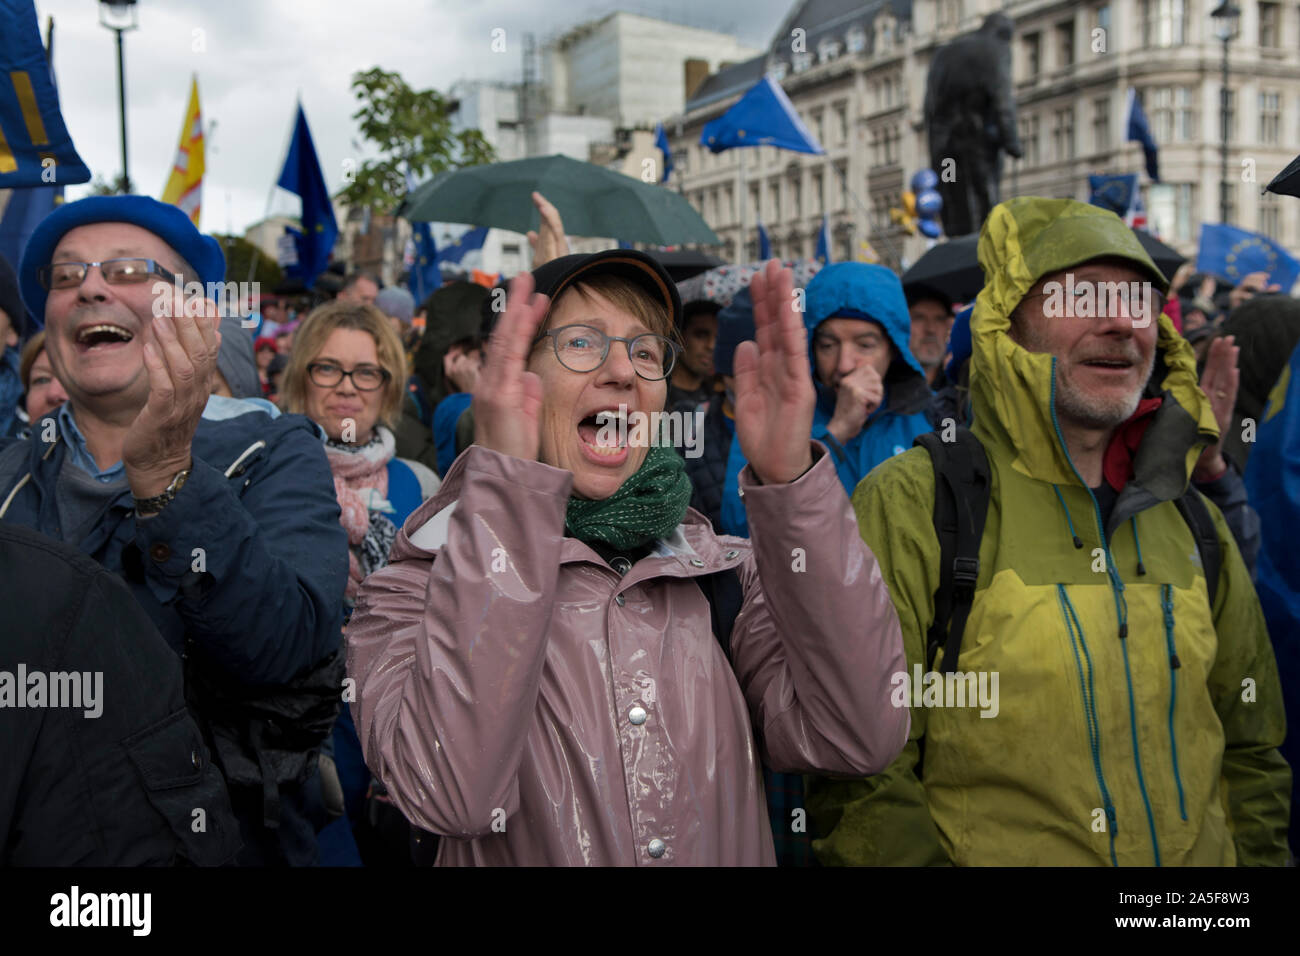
x: 963, y: 490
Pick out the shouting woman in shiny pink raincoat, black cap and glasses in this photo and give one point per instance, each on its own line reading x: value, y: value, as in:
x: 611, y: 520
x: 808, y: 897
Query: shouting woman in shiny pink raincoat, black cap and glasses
x: 539, y: 677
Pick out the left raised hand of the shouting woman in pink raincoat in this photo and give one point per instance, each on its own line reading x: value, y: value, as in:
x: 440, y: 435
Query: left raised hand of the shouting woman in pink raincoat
x: 509, y: 399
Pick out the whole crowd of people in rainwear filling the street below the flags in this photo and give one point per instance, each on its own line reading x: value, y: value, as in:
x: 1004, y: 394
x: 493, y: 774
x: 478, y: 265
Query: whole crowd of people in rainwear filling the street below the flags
x: 375, y: 583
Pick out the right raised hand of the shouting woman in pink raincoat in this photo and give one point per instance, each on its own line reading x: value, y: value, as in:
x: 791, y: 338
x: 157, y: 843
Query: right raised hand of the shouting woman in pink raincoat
x: 774, y: 383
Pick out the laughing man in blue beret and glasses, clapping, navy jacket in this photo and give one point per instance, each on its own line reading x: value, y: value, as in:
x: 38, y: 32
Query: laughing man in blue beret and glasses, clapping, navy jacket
x: 226, y: 527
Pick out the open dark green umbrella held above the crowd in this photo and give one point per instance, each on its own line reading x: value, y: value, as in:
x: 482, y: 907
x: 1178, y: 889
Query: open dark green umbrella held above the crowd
x: 593, y: 201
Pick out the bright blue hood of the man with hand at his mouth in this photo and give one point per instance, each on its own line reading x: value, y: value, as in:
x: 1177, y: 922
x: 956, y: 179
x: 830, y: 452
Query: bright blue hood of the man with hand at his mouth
x: 873, y: 293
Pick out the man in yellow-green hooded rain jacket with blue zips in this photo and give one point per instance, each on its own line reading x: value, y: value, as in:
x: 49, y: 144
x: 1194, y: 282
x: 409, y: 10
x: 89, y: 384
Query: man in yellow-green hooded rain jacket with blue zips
x: 1129, y: 721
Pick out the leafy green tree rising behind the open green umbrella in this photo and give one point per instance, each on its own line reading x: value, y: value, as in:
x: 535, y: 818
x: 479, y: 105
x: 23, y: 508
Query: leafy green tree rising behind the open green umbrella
x: 413, y: 132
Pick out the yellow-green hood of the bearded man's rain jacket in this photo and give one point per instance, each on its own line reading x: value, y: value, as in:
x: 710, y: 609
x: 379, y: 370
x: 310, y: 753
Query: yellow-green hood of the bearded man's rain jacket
x: 1012, y: 390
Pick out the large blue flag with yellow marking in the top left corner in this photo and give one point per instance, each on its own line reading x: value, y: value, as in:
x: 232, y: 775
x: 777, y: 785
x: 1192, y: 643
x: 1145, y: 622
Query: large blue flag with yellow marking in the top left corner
x: 36, y: 149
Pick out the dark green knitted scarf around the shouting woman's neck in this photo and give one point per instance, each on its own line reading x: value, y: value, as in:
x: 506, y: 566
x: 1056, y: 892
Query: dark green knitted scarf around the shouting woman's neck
x: 649, y: 505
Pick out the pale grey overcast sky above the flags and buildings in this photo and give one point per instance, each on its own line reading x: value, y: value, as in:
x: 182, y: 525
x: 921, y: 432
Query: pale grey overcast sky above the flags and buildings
x: 257, y: 57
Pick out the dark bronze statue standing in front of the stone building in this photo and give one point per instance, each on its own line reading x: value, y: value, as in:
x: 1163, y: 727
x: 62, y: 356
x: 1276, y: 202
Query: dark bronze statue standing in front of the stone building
x: 970, y: 122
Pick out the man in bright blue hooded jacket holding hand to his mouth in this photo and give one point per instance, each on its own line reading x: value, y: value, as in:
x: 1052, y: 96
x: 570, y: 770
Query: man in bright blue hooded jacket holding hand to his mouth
x: 872, y: 392
